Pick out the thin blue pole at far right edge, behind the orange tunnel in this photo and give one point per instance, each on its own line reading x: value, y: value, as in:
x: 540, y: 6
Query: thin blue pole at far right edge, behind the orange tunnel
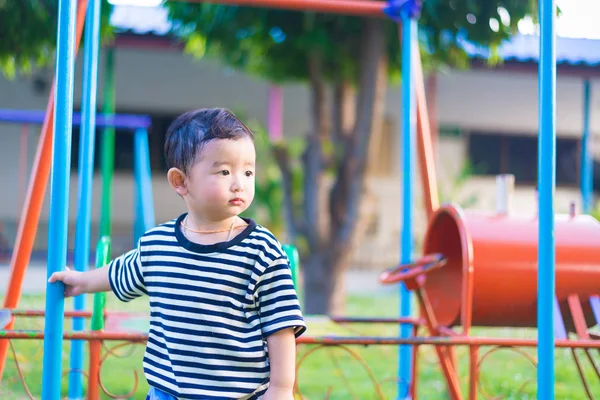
x: 587, y: 171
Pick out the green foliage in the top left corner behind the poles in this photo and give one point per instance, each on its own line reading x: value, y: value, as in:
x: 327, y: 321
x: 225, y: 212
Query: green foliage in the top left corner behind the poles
x: 28, y: 32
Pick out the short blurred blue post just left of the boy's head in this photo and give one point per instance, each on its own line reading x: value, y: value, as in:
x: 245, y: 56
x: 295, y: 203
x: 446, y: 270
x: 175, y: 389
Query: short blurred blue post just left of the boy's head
x: 144, y: 205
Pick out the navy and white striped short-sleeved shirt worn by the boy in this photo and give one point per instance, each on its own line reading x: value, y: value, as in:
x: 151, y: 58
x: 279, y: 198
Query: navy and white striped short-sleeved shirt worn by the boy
x: 211, y: 309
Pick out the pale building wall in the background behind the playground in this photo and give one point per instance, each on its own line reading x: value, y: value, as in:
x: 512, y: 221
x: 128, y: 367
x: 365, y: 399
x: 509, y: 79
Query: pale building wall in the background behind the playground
x: 168, y: 81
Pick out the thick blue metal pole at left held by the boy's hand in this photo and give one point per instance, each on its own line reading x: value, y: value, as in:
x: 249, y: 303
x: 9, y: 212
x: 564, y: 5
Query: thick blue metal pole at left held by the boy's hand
x: 59, y: 199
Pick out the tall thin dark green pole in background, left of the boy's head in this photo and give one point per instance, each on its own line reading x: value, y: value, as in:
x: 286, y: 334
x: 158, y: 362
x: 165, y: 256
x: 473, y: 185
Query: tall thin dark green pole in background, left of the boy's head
x: 108, y: 146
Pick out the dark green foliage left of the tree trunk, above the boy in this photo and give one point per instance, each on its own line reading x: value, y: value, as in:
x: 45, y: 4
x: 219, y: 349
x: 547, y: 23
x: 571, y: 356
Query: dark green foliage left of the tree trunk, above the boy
x: 269, y: 43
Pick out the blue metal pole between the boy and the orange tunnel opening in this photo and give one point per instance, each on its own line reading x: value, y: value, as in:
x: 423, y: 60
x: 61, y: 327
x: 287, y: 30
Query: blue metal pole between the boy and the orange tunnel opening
x: 408, y: 151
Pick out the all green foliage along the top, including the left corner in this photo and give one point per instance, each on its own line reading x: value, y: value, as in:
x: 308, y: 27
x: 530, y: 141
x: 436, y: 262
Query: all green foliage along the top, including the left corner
x: 276, y: 43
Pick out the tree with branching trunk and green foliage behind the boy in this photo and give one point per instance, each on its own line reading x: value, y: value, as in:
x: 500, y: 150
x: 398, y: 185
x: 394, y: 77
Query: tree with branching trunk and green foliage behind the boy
x: 354, y: 57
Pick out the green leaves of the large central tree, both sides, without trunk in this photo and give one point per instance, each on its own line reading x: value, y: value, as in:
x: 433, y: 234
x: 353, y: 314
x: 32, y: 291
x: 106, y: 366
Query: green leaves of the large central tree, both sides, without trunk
x: 276, y: 44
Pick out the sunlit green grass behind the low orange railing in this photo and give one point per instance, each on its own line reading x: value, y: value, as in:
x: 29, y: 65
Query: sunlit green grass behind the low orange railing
x: 328, y: 369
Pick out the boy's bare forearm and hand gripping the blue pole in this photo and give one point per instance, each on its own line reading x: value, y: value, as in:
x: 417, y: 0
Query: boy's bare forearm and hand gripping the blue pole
x: 76, y: 282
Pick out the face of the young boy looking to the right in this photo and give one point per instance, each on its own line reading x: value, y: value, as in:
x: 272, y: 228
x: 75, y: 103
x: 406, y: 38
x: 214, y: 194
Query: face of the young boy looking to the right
x: 221, y: 183
